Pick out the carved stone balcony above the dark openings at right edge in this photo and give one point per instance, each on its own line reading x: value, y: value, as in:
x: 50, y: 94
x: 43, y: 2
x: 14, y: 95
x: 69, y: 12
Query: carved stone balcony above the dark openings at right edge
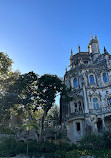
x: 102, y: 110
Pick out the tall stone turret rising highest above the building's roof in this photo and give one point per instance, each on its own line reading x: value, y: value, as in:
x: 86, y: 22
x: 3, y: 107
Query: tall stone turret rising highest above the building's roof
x: 94, y: 47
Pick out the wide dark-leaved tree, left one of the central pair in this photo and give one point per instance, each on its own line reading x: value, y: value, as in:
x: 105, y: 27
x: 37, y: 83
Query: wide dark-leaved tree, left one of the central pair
x: 20, y: 94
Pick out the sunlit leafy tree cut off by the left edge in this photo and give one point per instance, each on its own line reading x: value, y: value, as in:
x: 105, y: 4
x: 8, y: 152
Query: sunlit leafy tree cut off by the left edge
x: 6, y: 79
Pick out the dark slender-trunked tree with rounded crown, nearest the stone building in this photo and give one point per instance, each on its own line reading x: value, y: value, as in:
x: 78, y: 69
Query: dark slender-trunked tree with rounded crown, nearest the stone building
x: 48, y: 87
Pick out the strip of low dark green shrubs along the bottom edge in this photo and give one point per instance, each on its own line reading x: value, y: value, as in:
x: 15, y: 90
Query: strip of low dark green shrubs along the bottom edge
x: 51, y: 149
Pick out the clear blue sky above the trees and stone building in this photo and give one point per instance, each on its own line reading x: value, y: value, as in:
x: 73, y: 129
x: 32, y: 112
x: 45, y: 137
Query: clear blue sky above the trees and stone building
x: 38, y: 34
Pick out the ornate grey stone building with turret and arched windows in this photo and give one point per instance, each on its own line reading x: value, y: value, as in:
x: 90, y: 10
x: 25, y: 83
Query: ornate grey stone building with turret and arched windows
x: 89, y: 81
